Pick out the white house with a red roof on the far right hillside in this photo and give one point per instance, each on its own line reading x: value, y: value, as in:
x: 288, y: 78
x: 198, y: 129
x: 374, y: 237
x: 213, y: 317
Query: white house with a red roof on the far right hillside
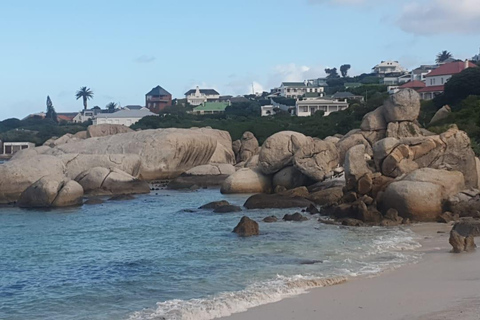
x: 436, y: 79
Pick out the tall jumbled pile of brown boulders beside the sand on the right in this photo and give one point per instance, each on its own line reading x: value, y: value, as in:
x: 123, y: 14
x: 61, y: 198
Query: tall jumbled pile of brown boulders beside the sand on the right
x: 393, y: 170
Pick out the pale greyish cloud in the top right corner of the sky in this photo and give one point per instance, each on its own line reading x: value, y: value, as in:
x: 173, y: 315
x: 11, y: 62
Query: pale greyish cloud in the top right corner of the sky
x: 440, y: 17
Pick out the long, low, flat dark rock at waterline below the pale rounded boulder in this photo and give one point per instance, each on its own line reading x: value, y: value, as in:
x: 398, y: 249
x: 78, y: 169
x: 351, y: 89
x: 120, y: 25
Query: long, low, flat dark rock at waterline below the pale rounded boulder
x: 269, y: 201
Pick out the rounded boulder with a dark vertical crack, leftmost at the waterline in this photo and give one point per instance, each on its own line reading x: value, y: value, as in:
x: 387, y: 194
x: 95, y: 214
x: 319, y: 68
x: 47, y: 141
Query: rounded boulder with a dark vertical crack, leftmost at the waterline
x: 51, y: 191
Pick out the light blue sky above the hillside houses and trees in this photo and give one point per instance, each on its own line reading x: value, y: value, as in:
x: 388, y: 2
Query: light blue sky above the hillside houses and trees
x: 121, y: 49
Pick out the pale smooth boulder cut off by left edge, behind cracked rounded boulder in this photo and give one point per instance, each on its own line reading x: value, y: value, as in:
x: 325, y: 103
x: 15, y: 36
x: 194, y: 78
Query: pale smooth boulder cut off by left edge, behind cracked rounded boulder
x: 17, y: 175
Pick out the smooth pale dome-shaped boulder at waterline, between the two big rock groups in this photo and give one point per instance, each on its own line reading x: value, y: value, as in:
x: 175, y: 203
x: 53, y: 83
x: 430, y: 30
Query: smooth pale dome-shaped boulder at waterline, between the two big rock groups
x: 247, y: 181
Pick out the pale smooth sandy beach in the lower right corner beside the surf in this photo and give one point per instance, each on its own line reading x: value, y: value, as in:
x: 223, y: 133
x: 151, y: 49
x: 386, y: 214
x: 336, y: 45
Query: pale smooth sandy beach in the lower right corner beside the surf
x: 442, y: 285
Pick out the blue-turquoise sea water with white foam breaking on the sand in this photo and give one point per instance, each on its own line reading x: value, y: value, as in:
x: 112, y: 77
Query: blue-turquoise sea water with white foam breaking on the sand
x: 150, y: 258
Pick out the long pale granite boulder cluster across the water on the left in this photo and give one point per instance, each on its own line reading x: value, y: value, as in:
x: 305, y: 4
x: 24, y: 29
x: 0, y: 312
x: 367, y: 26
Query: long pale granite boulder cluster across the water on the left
x: 112, y: 160
